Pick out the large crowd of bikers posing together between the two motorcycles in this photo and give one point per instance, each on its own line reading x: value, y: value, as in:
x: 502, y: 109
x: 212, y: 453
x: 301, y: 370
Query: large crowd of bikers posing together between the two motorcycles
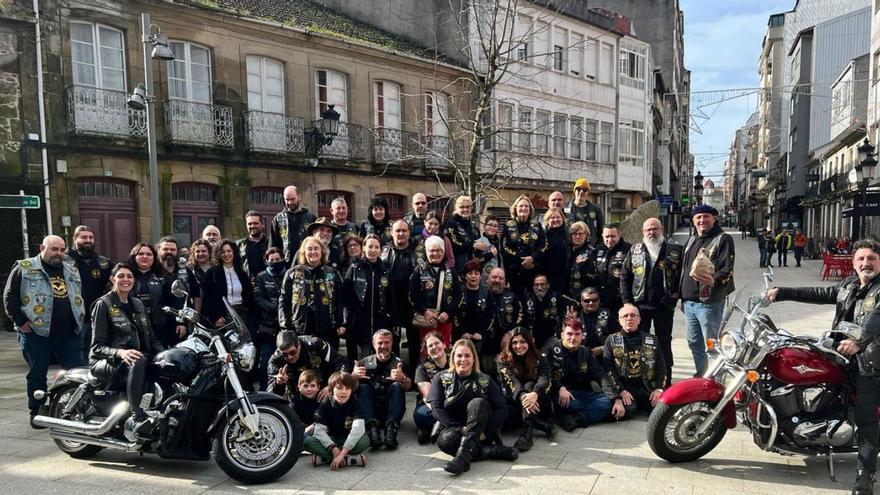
x: 549, y: 321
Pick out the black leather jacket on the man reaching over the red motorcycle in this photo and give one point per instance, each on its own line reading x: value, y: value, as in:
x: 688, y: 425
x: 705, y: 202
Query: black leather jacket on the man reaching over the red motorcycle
x: 854, y: 304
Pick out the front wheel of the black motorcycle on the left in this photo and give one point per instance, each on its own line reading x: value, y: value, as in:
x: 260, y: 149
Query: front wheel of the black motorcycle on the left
x: 265, y: 458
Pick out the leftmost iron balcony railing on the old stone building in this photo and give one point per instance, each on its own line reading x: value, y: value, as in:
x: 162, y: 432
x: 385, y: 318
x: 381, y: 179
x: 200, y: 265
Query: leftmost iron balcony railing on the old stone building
x: 103, y: 112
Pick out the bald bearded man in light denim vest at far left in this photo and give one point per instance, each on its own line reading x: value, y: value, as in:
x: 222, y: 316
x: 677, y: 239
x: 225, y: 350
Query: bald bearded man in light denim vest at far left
x: 43, y: 298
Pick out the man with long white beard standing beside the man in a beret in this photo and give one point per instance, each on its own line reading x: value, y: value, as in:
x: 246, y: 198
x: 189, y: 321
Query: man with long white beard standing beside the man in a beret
x: 651, y: 281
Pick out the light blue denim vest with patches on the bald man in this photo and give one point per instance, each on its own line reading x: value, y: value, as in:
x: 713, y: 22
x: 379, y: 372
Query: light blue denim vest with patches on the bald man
x: 36, y: 294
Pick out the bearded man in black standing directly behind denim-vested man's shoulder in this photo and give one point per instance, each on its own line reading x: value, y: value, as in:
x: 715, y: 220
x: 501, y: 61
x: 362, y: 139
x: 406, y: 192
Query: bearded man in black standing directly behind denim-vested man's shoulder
x: 94, y: 272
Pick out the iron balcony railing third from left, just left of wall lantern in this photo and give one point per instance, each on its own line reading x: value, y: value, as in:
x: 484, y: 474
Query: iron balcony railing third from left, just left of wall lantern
x: 273, y: 133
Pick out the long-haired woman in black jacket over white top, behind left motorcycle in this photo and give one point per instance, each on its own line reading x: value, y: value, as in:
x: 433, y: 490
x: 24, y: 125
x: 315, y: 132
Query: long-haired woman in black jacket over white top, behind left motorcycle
x: 227, y: 279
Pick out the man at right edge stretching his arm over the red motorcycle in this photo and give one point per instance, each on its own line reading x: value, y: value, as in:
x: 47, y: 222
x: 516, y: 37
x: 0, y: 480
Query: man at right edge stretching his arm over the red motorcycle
x: 856, y: 300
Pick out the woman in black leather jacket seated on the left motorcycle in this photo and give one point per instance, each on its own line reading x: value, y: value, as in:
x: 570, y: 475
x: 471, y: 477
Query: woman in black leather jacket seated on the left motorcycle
x: 123, y: 343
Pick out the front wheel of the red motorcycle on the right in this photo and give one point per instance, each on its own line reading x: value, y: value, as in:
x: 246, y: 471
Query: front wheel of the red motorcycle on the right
x: 672, y: 431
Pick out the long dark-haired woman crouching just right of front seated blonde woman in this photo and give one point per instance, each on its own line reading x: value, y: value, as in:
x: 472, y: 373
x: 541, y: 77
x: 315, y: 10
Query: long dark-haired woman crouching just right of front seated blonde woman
x: 525, y: 382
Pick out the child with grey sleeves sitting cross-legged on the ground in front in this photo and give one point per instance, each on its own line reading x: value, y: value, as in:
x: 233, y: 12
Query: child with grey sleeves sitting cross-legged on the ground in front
x: 339, y: 422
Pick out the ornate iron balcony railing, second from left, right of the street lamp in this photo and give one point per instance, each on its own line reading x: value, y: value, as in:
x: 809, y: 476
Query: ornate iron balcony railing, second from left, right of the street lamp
x: 198, y: 124
